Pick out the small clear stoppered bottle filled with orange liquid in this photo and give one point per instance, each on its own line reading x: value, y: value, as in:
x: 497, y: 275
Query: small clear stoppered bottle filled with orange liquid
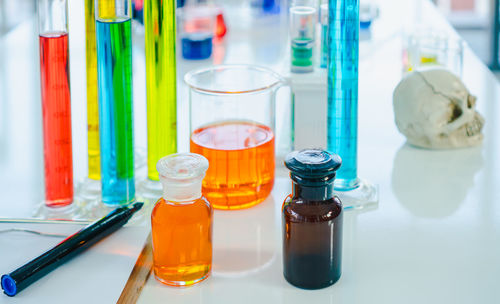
x: 181, y: 222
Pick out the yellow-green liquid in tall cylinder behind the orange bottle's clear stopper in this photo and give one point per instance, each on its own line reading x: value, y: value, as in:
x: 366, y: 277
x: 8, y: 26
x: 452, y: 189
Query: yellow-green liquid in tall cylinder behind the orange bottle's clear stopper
x: 159, y: 22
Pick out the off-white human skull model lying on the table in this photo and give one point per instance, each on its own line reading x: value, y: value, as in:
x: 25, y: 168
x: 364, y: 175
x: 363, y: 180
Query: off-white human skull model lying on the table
x: 434, y: 110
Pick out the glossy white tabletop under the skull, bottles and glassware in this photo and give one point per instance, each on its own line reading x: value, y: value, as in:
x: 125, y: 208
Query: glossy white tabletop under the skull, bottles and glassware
x: 434, y: 238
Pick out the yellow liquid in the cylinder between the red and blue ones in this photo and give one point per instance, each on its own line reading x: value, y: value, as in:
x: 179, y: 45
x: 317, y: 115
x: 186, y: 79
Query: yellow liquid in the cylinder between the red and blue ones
x: 94, y: 165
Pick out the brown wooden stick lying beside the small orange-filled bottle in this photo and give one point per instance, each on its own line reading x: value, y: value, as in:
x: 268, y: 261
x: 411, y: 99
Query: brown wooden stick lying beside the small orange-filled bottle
x: 139, y: 275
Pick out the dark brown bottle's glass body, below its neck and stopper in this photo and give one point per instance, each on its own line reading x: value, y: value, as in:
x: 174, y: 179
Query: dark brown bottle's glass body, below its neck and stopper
x: 312, y: 242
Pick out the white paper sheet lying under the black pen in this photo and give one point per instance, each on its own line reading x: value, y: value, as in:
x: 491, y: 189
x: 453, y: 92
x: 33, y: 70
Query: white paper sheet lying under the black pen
x: 97, y: 275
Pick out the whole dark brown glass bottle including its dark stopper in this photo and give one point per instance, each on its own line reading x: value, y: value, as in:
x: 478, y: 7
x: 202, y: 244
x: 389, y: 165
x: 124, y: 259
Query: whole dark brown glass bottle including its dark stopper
x: 312, y: 221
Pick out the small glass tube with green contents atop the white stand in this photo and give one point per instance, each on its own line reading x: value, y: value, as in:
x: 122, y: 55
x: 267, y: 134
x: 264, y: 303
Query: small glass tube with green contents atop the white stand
x: 302, y: 36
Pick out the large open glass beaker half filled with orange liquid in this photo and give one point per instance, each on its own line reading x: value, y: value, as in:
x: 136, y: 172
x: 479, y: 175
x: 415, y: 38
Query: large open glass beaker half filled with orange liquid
x: 233, y: 125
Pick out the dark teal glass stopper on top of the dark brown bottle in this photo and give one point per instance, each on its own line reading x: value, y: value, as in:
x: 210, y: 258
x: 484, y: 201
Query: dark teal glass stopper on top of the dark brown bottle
x: 312, y: 166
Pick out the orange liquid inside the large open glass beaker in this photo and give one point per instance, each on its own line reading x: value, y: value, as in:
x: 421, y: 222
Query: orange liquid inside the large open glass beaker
x: 241, y: 163
